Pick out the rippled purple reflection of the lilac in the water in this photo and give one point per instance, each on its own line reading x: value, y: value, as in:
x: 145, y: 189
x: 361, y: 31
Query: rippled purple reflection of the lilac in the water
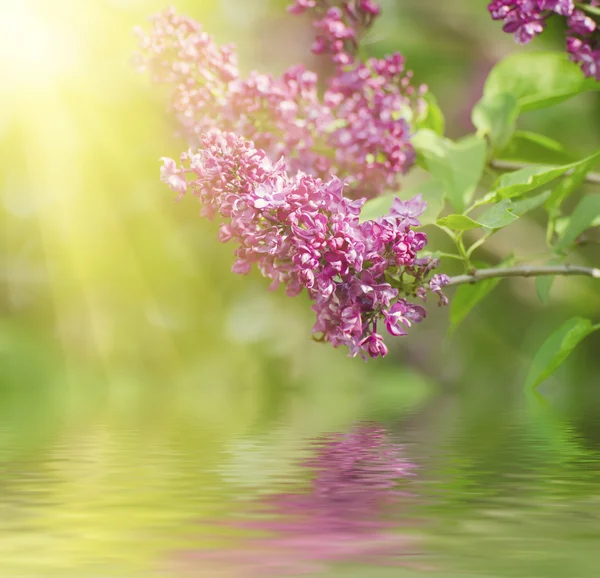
x: 350, y: 512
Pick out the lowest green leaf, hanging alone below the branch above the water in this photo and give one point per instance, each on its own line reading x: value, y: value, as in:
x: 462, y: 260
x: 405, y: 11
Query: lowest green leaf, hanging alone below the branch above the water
x: 555, y: 350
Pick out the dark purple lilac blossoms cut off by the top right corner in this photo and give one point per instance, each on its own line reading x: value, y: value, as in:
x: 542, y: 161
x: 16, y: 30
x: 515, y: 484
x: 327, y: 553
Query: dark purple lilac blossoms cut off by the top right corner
x: 525, y: 19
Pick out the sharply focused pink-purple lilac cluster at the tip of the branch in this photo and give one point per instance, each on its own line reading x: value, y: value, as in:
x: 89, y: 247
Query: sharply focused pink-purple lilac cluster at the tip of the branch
x: 303, y: 233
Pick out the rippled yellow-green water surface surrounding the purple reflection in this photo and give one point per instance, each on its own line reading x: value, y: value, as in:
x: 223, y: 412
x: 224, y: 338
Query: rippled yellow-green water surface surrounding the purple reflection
x: 120, y: 480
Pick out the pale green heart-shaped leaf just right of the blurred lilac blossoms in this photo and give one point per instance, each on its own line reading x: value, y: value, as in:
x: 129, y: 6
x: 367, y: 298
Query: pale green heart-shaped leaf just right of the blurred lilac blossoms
x: 458, y: 166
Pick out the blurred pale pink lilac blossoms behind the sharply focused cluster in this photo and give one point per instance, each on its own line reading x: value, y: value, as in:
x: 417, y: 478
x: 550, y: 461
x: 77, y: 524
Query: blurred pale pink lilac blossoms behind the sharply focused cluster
x: 359, y: 129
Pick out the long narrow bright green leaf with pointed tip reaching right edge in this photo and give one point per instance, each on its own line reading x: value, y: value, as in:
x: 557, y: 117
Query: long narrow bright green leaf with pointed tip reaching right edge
x: 518, y: 182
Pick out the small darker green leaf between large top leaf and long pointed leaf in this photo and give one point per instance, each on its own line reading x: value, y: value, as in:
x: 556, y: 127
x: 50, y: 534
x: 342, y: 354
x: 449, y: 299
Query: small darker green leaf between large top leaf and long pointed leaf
x: 532, y: 148
